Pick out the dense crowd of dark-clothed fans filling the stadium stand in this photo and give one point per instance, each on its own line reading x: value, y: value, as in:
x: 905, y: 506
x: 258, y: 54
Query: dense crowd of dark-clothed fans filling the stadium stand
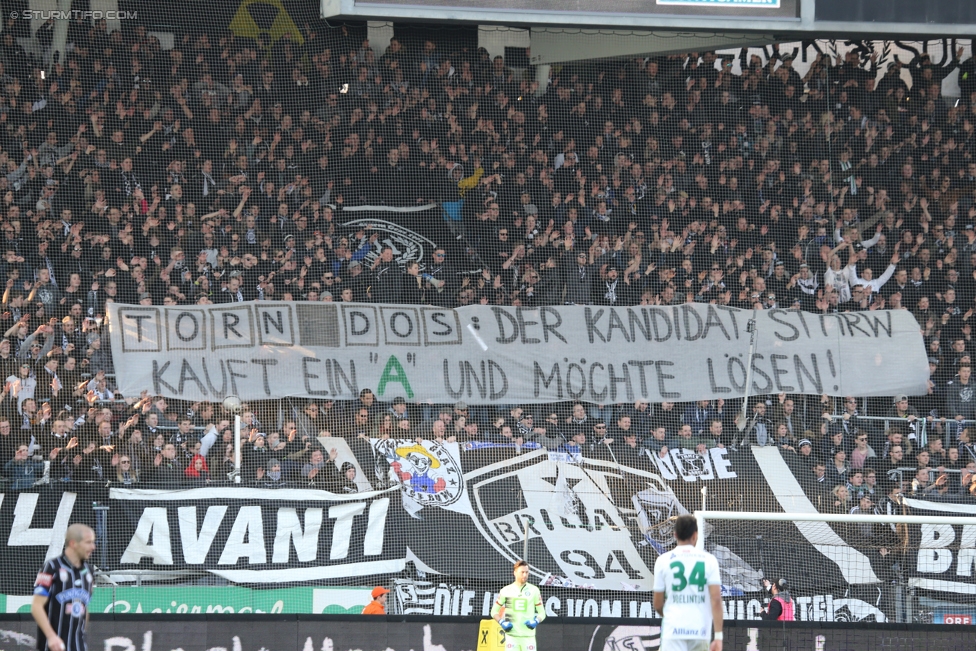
x: 218, y: 171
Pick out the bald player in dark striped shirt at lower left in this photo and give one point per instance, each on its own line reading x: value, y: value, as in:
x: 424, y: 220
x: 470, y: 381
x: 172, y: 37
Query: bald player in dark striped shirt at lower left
x: 62, y: 592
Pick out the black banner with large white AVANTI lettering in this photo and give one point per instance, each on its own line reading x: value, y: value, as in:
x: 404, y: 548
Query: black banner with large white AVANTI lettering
x: 256, y: 536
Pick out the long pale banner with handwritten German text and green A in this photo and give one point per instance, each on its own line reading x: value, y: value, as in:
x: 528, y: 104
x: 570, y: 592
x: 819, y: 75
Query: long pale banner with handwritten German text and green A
x: 501, y: 355
